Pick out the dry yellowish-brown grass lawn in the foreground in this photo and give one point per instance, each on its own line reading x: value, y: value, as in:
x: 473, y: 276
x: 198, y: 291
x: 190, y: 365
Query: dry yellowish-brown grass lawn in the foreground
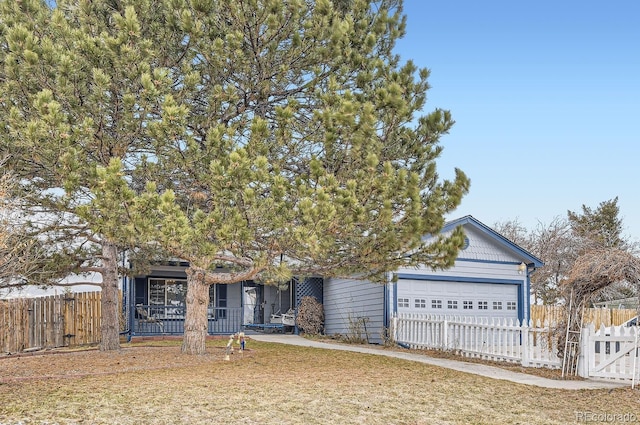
x: 153, y: 383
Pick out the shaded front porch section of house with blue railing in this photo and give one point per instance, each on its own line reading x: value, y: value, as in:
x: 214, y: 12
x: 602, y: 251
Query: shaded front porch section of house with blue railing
x: 157, y: 302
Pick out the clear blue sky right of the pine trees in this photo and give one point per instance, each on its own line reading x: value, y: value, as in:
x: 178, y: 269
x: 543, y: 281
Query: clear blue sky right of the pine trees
x: 546, y: 99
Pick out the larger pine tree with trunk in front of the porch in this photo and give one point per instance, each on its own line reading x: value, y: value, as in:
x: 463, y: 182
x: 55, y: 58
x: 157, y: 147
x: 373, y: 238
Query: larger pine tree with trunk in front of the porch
x: 292, y: 144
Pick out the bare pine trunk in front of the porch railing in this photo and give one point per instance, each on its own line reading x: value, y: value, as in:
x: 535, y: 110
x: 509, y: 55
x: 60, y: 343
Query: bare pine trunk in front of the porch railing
x: 195, y: 322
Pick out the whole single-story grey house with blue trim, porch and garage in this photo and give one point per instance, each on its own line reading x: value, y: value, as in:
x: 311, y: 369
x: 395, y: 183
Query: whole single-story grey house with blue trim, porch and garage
x: 490, y: 278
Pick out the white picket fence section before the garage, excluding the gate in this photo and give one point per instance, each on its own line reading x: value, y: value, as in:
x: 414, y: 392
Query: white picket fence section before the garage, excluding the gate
x: 491, y: 339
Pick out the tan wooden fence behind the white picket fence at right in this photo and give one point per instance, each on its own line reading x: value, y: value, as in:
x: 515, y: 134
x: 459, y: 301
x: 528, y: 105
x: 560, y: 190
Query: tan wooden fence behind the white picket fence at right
x: 597, y: 316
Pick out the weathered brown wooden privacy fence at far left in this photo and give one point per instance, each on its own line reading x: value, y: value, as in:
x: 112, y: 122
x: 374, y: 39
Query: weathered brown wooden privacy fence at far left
x: 49, y: 322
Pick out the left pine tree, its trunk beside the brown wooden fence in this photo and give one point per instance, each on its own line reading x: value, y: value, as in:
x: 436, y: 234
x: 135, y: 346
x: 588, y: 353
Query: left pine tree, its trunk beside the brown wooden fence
x: 75, y: 100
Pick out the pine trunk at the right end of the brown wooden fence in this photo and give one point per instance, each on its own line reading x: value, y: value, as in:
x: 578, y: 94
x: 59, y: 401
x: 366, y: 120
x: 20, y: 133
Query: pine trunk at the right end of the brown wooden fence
x: 109, y: 300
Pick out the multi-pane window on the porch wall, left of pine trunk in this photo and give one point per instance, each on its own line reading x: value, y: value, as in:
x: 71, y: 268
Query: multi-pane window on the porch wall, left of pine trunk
x: 167, y: 297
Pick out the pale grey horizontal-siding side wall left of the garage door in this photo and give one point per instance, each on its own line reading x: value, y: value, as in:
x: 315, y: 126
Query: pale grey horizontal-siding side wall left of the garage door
x: 349, y: 301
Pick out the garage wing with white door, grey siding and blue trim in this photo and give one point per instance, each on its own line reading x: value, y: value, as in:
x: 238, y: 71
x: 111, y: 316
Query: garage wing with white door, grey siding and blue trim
x: 490, y: 278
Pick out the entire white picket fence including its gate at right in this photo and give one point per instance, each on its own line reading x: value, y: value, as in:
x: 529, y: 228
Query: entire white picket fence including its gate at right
x: 606, y: 353
